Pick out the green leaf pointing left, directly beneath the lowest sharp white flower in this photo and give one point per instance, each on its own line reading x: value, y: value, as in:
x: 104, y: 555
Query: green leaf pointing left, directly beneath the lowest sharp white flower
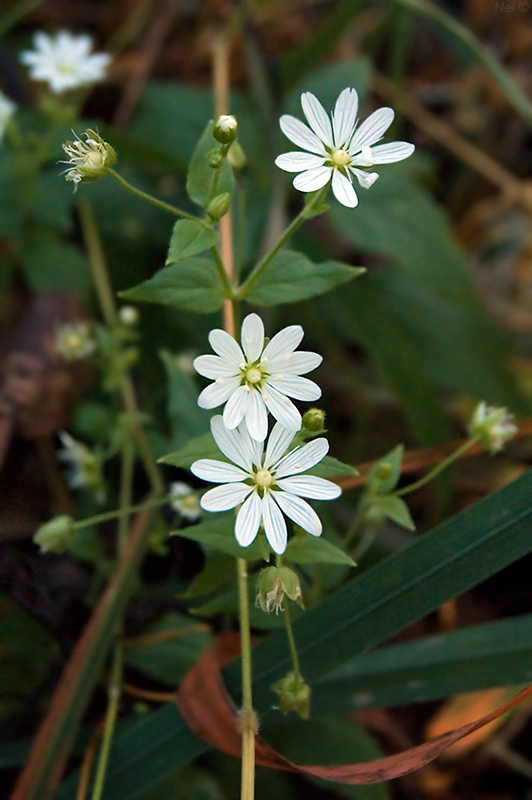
x: 218, y: 533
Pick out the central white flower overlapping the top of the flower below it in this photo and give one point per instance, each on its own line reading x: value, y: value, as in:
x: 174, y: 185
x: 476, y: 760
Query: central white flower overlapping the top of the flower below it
x: 254, y: 379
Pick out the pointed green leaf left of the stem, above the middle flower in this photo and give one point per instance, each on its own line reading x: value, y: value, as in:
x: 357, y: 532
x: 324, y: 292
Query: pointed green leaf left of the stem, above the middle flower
x: 192, y: 284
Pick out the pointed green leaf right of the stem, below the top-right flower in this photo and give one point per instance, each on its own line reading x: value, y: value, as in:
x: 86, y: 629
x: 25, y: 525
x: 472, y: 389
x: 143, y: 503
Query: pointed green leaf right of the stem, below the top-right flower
x: 291, y: 277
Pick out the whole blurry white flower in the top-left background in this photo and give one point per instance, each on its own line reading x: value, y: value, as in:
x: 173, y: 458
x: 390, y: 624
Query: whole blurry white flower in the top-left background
x: 65, y: 62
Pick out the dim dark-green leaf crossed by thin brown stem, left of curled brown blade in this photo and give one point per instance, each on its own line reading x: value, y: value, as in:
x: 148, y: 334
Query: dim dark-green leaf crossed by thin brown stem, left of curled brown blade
x: 169, y: 660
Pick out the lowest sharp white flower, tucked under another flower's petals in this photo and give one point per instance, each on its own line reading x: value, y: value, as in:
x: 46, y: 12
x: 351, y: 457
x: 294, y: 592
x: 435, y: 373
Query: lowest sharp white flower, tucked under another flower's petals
x: 267, y: 484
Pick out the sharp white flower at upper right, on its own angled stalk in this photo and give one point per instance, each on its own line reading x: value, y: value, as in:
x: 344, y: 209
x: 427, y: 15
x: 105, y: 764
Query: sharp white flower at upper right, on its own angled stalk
x: 337, y: 151
